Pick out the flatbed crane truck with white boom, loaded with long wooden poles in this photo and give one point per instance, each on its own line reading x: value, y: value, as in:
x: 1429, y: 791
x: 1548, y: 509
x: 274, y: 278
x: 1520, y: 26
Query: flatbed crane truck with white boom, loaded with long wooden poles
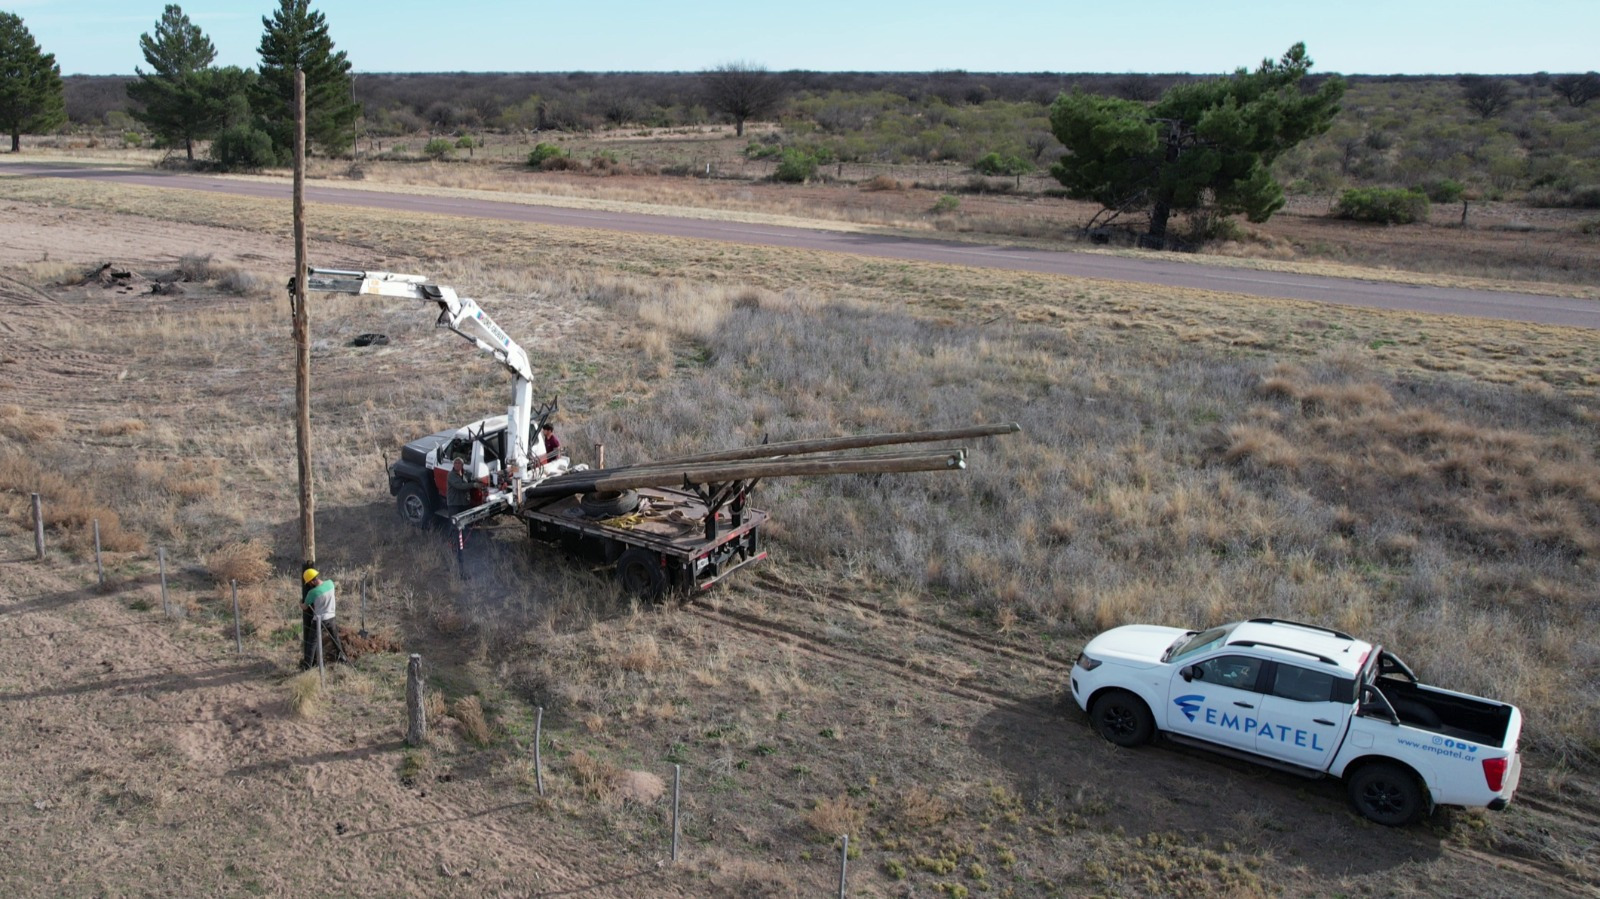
x: 668, y: 527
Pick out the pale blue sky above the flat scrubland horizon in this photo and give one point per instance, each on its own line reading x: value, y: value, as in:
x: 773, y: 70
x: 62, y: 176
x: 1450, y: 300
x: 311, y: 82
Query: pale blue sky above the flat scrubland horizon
x: 1353, y: 38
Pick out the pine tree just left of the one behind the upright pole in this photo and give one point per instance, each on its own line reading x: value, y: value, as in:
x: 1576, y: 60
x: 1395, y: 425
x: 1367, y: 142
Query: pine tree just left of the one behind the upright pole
x: 180, y: 94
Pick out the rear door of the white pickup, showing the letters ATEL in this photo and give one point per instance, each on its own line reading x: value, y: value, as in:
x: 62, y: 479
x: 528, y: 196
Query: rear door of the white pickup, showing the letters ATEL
x: 1302, y: 722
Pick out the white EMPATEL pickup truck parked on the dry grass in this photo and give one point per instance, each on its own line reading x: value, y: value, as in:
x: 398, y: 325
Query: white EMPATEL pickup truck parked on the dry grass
x: 1305, y: 700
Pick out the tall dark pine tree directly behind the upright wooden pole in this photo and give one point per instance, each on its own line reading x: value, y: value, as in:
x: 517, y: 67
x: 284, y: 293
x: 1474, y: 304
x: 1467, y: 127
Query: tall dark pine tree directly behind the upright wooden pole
x: 298, y: 38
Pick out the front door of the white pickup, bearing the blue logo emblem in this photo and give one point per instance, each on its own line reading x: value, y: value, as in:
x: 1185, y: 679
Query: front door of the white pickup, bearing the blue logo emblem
x: 1217, y: 701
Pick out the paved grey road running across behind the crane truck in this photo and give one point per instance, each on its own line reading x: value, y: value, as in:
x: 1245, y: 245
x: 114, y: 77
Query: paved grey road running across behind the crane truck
x: 1350, y: 292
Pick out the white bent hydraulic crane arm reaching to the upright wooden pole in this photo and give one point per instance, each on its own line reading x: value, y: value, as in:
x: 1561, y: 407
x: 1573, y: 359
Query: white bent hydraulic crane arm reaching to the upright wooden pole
x: 465, y: 318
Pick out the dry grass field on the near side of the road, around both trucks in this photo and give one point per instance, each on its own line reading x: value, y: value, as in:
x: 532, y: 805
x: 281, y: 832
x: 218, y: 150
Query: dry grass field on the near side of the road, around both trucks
x: 895, y: 673
